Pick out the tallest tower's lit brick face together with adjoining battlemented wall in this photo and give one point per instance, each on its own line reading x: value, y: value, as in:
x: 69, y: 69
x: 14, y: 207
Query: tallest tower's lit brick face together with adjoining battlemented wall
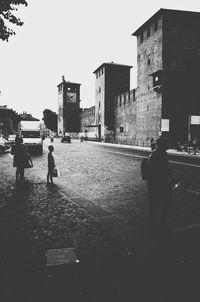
x: 139, y: 111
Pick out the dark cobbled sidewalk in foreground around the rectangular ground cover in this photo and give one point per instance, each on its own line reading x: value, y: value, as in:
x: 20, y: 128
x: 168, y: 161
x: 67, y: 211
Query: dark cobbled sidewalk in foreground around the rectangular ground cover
x: 35, y: 218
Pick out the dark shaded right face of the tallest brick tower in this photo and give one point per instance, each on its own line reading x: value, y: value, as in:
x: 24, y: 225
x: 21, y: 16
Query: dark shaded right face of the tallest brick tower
x: 181, y: 60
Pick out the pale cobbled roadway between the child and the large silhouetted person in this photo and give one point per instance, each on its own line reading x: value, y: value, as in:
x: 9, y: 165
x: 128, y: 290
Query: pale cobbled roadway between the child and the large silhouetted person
x: 104, y: 178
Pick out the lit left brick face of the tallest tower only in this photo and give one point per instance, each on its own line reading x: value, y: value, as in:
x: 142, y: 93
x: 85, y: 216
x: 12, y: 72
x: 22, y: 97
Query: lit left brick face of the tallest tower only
x: 148, y: 101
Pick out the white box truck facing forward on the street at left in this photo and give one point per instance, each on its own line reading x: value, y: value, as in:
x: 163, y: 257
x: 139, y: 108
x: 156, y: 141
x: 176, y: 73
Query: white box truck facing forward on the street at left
x: 32, y: 135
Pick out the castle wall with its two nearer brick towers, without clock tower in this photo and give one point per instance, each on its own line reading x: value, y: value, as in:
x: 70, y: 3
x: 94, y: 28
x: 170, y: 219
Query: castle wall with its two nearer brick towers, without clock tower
x: 167, y: 94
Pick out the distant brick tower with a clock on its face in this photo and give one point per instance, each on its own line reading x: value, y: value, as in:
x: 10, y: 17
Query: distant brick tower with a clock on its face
x: 68, y: 107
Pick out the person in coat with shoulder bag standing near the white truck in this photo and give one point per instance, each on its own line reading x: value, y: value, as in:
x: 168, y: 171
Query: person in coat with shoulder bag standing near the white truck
x: 21, y: 158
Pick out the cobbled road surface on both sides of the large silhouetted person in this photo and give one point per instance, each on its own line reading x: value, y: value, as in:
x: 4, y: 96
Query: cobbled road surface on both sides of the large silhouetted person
x: 109, y: 178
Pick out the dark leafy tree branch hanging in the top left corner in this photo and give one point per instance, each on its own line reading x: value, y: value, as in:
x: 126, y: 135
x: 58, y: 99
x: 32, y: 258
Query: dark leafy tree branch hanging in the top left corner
x: 6, y: 15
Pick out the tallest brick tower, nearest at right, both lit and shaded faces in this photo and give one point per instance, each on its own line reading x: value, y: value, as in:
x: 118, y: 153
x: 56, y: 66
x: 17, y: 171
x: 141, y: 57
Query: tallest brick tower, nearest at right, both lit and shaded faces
x: 168, y: 60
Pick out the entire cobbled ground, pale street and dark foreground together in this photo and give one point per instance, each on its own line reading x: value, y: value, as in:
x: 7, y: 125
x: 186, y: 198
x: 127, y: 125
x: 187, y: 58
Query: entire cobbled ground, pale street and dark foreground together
x: 99, y: 207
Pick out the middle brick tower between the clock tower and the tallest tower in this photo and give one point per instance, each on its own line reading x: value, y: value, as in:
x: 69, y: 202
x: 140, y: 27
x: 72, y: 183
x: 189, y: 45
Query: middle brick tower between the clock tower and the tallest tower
x: 111, y: 79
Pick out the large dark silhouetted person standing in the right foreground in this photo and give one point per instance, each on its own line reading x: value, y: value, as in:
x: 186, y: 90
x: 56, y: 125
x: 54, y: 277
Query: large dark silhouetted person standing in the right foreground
x: 159, y: 184
